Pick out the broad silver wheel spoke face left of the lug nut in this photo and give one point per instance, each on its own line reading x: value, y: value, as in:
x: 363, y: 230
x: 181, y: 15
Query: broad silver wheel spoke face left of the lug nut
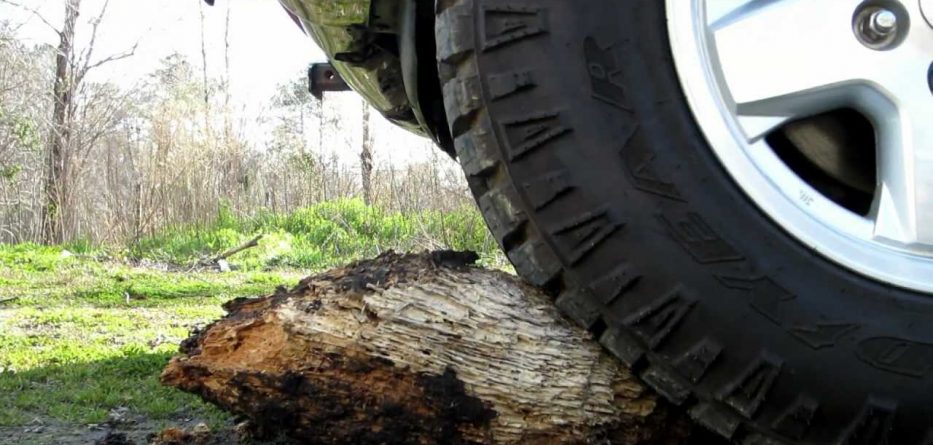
x: 786, y: 58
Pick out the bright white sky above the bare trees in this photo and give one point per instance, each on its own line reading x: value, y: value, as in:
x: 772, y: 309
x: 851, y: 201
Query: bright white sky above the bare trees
x: 266, y: 49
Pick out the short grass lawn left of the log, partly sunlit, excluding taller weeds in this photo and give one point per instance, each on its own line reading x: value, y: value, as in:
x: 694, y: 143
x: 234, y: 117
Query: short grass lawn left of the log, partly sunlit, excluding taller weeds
x: 84, y: 335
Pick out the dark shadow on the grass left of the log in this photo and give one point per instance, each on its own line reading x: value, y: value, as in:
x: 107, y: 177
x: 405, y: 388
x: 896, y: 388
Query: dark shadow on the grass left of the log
x: 83, y: 403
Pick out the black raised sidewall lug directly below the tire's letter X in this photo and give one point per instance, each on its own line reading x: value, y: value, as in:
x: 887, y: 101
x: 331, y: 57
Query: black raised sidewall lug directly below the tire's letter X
x: 747, y: 392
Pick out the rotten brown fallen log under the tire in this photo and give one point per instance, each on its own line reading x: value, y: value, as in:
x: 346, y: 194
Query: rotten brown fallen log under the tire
x: 418, y: 349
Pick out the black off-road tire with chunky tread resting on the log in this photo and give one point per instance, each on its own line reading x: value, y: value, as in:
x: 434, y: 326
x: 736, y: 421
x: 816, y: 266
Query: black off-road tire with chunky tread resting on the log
x: 590, y: 170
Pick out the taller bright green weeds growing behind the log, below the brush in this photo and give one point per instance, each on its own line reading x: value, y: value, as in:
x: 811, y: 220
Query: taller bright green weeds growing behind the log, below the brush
x: 324, y: 235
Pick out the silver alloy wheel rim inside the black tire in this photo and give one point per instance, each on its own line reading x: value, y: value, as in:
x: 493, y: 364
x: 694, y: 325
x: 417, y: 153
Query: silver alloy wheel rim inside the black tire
x: 750, y: 67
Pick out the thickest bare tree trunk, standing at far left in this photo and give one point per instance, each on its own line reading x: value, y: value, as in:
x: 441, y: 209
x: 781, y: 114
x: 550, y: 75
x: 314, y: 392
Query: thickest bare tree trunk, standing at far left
x: 63, y: 94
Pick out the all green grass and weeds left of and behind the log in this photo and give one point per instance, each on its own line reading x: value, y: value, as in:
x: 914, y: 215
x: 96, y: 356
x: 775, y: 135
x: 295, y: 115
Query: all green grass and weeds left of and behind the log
x: 85, y: 332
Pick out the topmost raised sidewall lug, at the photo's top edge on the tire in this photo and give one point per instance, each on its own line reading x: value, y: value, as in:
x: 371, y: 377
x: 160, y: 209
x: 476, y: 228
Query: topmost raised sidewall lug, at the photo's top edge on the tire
x: 505, y: 23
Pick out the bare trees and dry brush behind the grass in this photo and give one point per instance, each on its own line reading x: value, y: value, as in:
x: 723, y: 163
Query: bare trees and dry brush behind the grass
x: 88, y: 160
